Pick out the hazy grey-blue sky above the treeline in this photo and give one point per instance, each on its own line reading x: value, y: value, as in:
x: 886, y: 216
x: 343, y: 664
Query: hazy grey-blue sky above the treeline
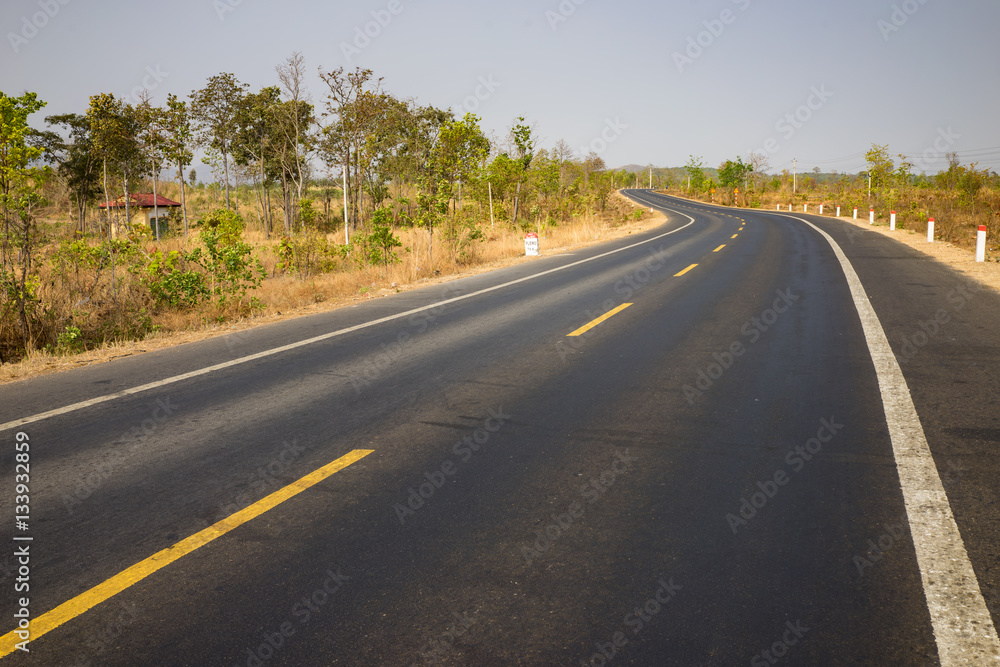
x: 908, y: 74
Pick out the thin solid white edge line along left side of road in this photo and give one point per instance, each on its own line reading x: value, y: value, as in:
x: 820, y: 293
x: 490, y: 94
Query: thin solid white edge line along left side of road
x: 285, y: 348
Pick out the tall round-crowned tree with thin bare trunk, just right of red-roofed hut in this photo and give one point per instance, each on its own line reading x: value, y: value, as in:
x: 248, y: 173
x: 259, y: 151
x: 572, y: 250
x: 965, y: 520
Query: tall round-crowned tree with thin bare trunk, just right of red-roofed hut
x: 214, y: 109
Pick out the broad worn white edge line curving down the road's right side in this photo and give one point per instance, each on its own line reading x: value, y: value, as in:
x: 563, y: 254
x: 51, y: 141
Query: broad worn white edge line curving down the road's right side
x: 963, y: 627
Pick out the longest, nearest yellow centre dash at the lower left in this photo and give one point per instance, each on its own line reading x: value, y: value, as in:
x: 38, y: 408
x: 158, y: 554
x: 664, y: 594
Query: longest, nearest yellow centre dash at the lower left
x: 118, y: 583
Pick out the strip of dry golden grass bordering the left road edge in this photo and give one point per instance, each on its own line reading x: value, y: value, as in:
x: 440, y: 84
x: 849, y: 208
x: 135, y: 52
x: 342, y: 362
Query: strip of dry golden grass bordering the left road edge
x: 289, y: 296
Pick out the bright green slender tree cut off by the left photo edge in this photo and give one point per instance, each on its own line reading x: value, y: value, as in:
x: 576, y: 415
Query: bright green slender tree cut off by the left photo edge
x: 19, y: 196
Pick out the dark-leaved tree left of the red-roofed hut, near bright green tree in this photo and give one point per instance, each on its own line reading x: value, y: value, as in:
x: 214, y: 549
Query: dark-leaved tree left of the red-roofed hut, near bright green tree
x: 76, y: 160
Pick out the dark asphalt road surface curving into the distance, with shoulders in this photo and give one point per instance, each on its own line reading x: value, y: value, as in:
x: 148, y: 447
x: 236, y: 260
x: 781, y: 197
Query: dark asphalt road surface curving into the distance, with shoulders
x: 706, y: 477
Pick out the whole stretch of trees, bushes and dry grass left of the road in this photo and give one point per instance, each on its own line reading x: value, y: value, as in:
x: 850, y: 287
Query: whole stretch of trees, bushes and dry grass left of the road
x: 263, y: 226
